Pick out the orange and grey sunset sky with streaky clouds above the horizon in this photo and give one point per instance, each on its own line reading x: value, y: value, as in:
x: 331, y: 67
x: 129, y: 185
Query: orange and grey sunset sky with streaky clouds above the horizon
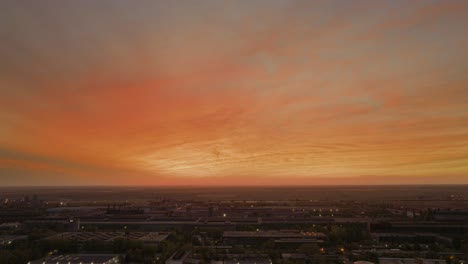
x: 257, y: 92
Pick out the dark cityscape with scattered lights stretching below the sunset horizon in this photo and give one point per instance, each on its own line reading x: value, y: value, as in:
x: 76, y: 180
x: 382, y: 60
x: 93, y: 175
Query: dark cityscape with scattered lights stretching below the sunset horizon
x: 357, y: 224
